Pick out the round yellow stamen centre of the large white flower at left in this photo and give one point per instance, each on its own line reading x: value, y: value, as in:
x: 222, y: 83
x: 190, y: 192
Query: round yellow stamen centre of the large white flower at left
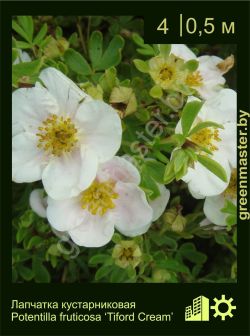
x: 57, y: 135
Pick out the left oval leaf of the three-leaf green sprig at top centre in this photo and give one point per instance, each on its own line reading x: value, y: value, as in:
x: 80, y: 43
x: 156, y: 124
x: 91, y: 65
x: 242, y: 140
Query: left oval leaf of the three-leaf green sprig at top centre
x: 76, y: 62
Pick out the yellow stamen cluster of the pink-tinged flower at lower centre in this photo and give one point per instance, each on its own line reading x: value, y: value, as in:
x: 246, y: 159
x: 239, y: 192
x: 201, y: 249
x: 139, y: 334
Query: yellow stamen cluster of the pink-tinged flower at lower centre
x: 98, y: 198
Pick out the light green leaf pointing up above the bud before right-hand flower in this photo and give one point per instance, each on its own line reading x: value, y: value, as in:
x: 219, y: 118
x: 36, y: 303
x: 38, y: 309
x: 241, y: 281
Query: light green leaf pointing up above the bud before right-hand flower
x: 189, y: 114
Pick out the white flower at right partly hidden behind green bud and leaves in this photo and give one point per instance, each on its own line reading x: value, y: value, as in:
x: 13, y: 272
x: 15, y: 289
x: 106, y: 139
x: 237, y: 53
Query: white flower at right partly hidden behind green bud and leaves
x: 221, y: 108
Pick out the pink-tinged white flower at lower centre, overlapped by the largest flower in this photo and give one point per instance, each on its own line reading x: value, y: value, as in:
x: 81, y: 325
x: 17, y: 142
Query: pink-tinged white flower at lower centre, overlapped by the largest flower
x: 114, y: 200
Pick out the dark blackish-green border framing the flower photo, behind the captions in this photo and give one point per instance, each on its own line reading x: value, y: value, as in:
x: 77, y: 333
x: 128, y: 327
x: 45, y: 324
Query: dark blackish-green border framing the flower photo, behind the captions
x: 150, y: 298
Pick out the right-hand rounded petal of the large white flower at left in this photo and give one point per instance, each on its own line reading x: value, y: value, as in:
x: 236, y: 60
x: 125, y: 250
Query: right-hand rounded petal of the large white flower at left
x: 101, y: 127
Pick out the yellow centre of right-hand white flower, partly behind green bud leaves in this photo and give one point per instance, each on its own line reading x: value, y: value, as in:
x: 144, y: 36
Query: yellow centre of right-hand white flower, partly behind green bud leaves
x: 207, y: 137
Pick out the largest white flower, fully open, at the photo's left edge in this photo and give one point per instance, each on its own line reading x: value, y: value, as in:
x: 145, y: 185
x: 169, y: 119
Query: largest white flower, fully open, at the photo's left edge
x: 59, y: 135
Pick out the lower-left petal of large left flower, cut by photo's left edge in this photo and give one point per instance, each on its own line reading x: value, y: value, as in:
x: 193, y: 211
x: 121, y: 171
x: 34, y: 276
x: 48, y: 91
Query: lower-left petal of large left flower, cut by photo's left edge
x: 27, y: 159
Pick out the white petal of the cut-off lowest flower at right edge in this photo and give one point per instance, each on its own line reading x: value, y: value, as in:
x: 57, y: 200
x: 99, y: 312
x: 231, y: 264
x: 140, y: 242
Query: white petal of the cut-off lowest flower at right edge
x: 212, y: 209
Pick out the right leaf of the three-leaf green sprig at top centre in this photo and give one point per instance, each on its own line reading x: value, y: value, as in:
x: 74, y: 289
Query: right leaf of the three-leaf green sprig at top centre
x: 112, y: 55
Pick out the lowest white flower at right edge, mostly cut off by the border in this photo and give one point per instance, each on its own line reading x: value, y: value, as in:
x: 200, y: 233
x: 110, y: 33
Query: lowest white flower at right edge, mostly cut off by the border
x: 213, y: 205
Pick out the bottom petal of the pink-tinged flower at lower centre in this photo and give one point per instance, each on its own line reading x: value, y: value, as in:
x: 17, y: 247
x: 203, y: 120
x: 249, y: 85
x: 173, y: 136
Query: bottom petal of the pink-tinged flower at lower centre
x: 95, y: 232
